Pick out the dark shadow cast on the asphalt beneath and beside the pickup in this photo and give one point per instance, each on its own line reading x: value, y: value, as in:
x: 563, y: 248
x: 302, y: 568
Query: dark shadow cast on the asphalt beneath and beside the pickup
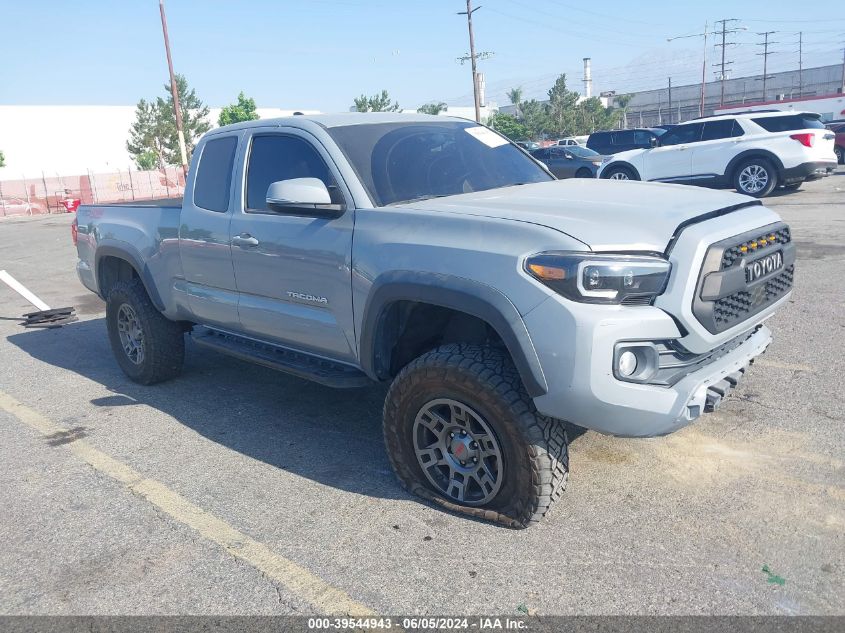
x: 327, y: 435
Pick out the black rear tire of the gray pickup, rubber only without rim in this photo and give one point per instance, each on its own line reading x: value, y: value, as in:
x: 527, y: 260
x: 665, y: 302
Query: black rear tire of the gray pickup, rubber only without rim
x: 163, y: 340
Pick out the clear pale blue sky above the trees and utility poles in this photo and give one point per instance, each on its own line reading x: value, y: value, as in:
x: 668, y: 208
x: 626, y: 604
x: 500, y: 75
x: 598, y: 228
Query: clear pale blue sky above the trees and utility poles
x: 320, y: 54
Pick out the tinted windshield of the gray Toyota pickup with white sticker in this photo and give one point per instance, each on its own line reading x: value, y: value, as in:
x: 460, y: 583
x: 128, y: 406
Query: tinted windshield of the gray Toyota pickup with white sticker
x: 401, y: 162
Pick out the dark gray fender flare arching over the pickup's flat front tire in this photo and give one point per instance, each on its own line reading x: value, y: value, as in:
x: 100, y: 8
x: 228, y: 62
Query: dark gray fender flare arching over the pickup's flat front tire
x: 458, y: 293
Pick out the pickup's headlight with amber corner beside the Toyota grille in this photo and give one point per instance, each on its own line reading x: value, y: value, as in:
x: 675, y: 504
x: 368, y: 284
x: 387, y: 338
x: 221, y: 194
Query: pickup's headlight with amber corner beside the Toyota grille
x: 601, y: 277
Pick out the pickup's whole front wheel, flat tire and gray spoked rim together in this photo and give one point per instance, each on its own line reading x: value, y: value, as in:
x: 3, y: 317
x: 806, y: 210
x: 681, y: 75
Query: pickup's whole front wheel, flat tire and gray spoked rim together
x: 461, y: 431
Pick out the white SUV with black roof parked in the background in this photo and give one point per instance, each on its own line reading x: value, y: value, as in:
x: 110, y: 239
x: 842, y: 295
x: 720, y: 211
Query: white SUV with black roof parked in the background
x: 752, y: 152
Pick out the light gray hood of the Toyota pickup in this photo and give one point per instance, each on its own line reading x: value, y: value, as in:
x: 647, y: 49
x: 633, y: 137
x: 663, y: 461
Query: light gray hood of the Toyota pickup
x: 605, y: 215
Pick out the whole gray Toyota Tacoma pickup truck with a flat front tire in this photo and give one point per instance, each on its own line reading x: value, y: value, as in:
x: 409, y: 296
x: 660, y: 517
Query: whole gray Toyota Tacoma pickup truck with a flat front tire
x: 431, y: 253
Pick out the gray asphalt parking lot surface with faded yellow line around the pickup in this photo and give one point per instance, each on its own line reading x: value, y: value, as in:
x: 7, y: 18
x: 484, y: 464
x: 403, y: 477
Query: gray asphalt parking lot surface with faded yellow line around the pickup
x: 237, y: 490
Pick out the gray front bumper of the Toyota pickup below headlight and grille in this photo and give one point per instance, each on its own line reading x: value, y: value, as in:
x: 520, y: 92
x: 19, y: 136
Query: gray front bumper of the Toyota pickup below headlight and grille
x: 579, y: 369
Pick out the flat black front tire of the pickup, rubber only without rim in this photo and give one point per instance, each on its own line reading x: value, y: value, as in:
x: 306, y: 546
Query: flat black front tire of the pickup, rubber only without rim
x: 534, y: 447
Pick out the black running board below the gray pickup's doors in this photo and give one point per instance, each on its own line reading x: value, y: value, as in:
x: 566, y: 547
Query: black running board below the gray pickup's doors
x: 298, y: 364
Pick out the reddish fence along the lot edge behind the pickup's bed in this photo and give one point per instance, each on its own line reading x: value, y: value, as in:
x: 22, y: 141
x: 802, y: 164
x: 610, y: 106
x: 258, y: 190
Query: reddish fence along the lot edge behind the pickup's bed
x: 34, y: 196
